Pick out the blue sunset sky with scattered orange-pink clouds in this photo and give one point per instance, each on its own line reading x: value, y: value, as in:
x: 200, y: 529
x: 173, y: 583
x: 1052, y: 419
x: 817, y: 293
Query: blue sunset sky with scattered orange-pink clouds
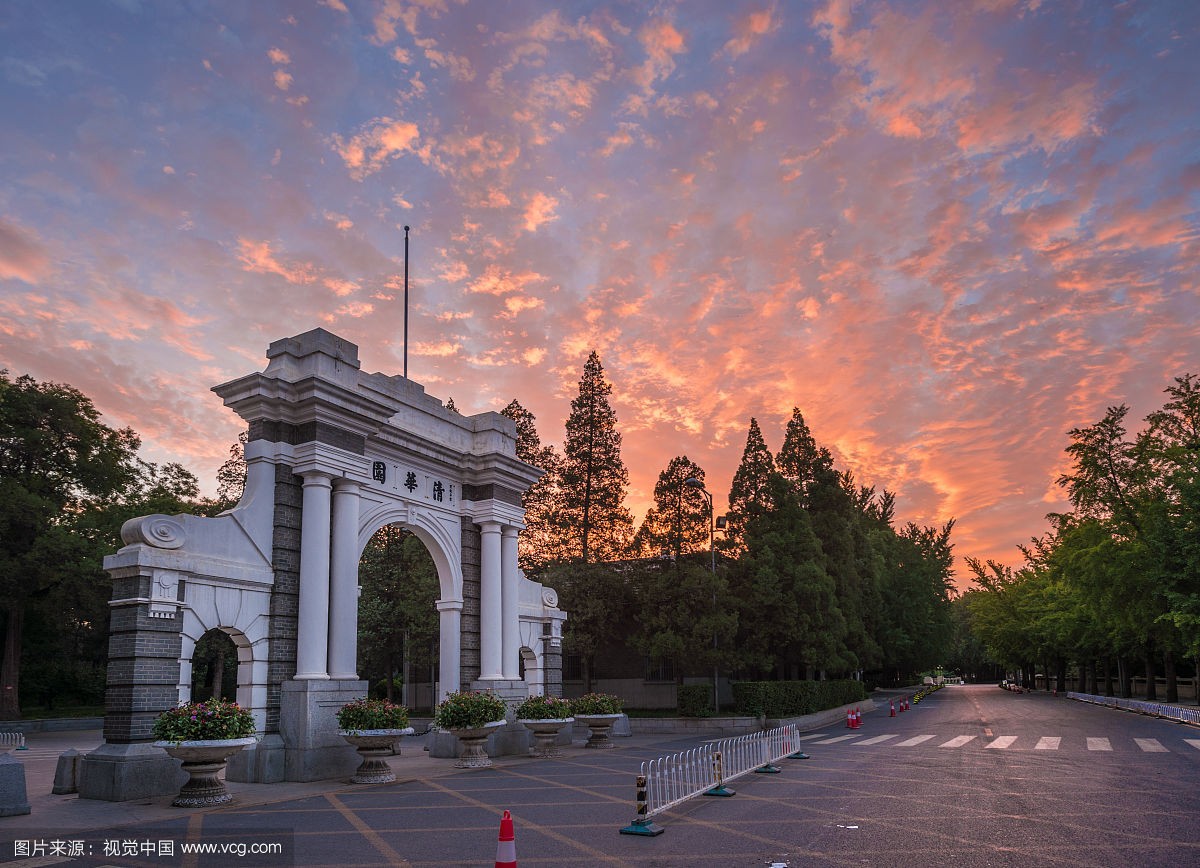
x: 947, y: 231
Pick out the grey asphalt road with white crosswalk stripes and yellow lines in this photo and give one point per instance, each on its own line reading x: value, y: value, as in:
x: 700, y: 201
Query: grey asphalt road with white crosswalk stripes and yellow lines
x: 973, y: 776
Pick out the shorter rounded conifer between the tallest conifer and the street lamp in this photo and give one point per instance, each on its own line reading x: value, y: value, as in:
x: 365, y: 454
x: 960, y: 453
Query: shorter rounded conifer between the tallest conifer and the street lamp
x: 679, y: 523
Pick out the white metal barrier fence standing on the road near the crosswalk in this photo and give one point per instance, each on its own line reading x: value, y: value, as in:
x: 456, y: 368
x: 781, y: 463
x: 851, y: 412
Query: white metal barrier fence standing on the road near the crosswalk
x: 669, y: 781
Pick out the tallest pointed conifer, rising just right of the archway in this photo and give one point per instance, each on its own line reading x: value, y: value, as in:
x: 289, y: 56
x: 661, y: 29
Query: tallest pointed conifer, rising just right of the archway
x: 592, y: 517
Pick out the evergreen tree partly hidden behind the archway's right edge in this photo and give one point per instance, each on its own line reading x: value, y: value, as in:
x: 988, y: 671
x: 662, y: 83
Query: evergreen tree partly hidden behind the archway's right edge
x: 541, y: 542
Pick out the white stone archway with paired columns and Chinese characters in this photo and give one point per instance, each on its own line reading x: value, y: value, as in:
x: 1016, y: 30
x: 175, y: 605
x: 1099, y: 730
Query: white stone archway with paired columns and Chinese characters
x: 333, y: 456
